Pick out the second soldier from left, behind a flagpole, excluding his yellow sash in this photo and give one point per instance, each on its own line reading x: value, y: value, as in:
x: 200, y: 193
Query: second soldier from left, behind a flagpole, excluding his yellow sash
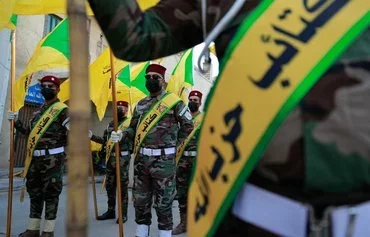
x: 111, y: 181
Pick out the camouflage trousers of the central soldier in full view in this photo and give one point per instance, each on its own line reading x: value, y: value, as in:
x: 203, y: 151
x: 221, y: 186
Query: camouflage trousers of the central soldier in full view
x: 154, y: 176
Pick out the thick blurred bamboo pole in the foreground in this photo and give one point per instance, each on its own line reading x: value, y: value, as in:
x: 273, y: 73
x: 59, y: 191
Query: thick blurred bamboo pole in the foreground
x: 79, y: 111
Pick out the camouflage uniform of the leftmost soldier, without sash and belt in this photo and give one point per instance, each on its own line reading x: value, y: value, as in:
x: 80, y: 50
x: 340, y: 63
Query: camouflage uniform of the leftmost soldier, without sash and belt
x: 45, y: 175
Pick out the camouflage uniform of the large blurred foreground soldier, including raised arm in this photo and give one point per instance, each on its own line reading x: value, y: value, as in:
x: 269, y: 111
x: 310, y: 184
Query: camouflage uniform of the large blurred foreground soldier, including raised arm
x: 320, y: 155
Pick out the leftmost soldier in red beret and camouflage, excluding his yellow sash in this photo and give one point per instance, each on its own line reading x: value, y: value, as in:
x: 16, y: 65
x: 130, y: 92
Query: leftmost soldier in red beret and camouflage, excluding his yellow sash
x: 45, y: 175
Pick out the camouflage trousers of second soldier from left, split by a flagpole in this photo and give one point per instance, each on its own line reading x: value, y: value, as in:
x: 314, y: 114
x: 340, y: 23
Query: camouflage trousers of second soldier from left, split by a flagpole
x: 111, y: 183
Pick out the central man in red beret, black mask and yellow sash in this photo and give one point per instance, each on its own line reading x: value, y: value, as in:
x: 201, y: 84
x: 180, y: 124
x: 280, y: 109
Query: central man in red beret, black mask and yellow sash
x: 160, y: 122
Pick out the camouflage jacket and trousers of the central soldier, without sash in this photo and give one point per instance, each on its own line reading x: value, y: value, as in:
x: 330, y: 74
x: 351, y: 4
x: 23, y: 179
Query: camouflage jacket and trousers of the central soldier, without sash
x: 155, y: 175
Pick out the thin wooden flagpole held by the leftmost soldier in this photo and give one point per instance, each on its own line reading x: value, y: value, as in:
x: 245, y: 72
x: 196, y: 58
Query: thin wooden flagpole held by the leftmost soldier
x: 11, y: 145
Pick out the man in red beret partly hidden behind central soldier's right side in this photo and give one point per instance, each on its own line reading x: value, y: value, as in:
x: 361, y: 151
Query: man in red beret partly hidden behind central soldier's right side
x: 186, y: 153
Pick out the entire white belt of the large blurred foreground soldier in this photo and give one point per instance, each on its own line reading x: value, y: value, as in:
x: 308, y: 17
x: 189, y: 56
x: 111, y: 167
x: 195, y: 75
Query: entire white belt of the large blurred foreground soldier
x: 287, y: 217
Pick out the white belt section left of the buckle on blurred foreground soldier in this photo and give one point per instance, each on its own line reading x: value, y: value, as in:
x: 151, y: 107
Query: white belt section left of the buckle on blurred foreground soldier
x: 272, y: 212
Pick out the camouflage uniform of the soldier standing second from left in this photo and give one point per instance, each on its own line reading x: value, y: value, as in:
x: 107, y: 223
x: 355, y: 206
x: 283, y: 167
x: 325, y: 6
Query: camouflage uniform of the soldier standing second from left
x: 111, y: 171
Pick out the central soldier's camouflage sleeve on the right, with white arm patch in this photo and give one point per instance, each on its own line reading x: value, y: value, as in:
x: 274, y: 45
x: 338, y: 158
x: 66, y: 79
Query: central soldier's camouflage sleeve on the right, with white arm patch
x: 185, y: 120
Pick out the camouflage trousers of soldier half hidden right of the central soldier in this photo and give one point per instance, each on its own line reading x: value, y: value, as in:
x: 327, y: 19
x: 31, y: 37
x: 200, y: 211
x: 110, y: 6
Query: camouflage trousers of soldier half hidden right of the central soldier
x: 183, y: 174
